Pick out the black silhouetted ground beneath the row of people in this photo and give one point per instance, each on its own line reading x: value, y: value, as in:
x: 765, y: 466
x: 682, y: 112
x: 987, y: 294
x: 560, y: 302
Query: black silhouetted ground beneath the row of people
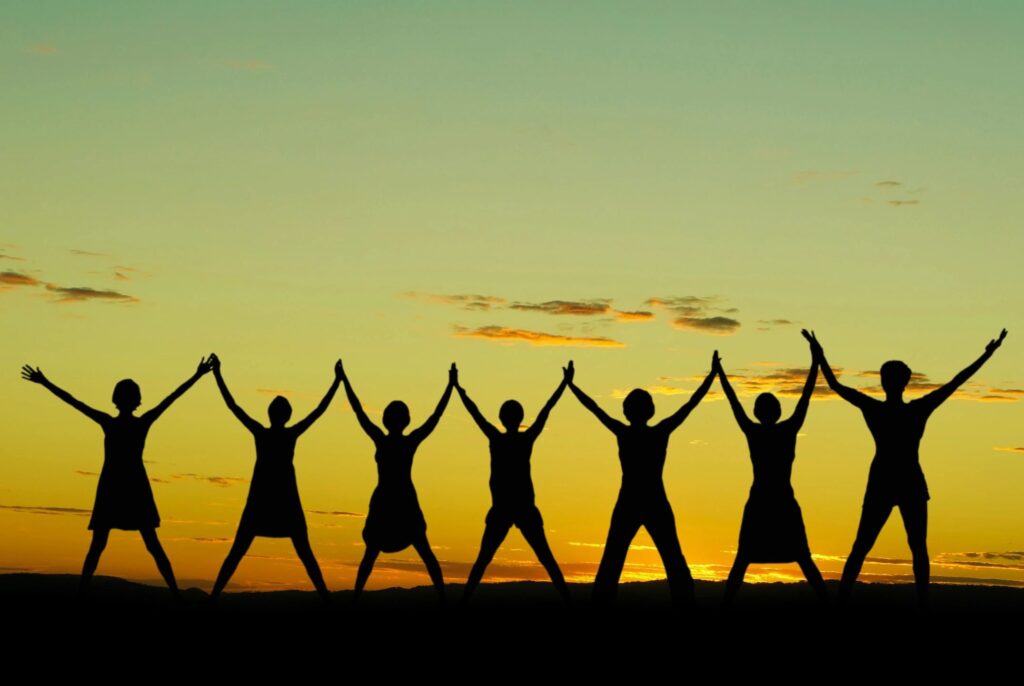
x: 511, y: 631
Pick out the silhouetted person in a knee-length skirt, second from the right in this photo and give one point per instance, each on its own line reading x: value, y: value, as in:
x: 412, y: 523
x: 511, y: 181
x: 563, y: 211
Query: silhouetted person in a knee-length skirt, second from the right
x: 774, y: 527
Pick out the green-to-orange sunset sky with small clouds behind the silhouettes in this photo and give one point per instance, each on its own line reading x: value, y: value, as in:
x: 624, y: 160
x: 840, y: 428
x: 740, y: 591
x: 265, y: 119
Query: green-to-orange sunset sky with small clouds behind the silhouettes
x: 508, y: 187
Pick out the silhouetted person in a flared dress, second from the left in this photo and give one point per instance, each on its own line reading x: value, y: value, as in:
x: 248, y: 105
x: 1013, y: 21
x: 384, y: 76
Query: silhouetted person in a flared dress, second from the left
x: 274, y: 508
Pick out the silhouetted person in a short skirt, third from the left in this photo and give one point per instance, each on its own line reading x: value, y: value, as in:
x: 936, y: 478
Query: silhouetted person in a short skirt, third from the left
x: 396, y: 521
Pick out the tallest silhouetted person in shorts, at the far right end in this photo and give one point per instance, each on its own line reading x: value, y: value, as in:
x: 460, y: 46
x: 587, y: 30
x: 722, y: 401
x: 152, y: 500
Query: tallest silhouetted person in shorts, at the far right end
x: 895, y: 479
